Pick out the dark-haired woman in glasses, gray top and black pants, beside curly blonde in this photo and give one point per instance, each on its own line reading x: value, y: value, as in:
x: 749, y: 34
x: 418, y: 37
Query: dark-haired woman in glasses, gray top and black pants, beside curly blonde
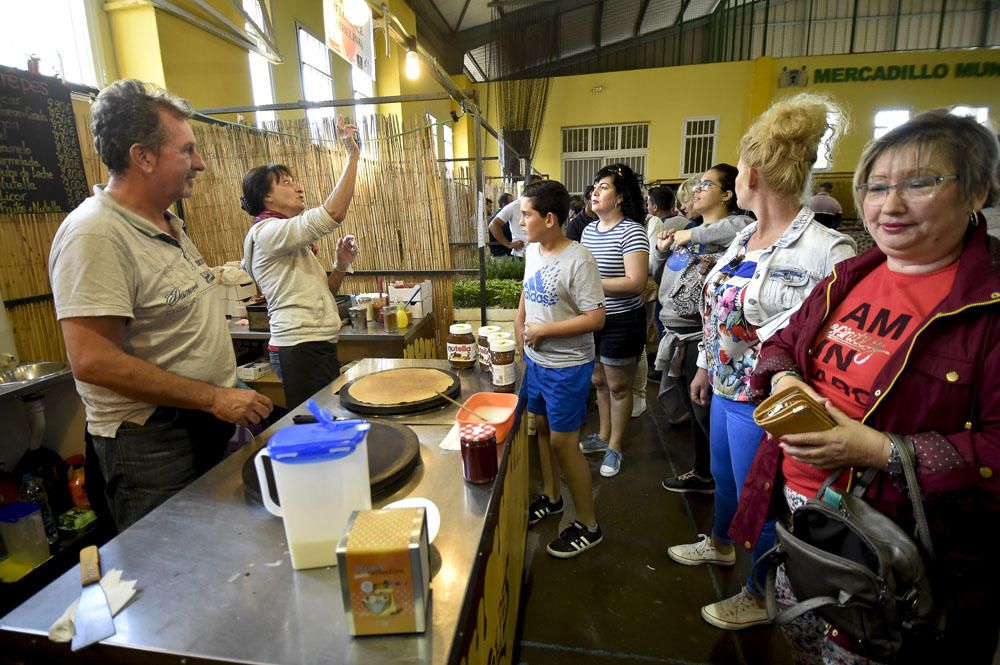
x: 693, y: 248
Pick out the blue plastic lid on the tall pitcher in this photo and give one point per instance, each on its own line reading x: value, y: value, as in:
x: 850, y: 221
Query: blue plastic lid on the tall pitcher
x: 326, y: 440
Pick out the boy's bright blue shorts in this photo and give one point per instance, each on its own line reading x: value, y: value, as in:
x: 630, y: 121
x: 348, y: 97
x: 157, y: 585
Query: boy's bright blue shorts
x: 559, y: 394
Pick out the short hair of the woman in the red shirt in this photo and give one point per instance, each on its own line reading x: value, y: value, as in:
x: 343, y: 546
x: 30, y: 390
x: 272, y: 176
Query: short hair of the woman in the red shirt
x: 966, y: 146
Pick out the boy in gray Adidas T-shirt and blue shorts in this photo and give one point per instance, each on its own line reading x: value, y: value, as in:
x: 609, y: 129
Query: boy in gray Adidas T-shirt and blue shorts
x: 561, y: 307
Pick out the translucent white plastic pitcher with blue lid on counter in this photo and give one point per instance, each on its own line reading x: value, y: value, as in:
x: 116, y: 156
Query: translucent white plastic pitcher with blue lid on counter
x: 321, y: 473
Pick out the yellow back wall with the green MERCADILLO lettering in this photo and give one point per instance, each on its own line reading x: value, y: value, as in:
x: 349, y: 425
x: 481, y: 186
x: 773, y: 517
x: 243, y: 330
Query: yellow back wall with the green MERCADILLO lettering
x: 737, y: 93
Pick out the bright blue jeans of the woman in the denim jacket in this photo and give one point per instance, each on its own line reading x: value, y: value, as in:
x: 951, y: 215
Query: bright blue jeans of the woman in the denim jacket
x: 734, y: 438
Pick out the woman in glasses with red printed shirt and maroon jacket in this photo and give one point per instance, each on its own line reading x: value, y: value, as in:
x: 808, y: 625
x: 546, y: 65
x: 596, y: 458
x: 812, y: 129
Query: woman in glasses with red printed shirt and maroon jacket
x: 904, y: 339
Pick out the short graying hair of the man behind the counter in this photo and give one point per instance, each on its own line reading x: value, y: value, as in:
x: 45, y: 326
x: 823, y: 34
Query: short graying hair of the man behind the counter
x: 128, y: 112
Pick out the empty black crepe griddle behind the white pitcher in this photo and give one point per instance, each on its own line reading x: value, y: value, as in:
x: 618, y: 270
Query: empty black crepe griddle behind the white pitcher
x: 393, y: 453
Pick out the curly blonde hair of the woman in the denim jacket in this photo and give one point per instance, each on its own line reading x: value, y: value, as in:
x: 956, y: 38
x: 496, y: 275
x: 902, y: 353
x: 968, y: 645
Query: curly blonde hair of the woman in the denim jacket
x: 783, y: 142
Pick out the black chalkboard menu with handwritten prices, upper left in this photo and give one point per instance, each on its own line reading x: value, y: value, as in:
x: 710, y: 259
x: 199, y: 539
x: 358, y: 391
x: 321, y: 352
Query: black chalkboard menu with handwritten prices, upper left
x: 40, y: 165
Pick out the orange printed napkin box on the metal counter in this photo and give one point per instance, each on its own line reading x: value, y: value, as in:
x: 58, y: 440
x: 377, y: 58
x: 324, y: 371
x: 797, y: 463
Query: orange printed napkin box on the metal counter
x: 384, y: 566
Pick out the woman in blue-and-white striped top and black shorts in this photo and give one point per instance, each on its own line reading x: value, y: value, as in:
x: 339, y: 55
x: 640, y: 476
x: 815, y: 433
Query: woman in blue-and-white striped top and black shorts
x: 618, y: 241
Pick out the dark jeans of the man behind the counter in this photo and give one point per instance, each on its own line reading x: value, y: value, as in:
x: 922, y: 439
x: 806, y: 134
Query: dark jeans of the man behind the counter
x: 144, y: 465
